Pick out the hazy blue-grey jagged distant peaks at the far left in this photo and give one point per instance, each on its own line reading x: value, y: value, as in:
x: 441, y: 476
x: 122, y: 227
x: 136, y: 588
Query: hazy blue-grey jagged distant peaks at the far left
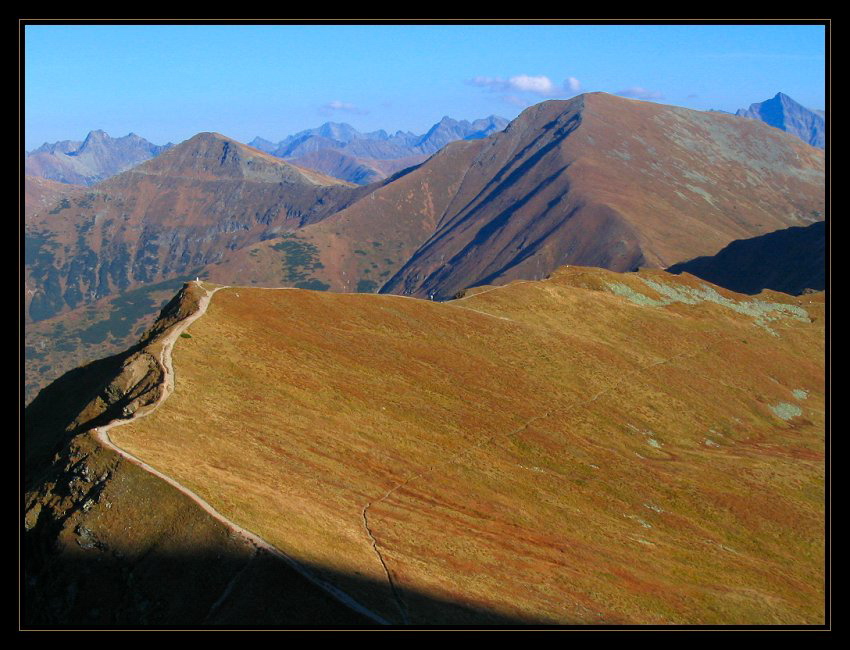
x: 98, y: 157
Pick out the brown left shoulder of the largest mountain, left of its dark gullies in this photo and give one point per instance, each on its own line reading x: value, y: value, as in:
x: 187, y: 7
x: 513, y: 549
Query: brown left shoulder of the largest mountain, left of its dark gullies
x: 361, y: 246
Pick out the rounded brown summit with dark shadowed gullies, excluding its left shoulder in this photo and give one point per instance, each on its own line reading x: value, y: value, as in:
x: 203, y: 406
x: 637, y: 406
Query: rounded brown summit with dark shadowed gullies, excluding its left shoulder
x: 605, y: 181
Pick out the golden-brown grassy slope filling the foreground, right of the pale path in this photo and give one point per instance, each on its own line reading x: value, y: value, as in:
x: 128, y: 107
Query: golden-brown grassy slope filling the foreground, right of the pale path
x: 595, y: 448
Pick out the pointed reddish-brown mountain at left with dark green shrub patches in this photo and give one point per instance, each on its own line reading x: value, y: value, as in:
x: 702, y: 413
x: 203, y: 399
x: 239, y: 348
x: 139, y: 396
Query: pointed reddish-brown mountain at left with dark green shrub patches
x: 166, y: 218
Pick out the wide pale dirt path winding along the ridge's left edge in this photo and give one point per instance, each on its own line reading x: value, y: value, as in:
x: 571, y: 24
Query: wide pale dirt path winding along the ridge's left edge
x: 102, y: 434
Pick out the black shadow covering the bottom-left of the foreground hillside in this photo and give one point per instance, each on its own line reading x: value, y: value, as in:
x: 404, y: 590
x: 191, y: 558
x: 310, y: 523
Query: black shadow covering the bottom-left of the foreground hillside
x: 94, y: 588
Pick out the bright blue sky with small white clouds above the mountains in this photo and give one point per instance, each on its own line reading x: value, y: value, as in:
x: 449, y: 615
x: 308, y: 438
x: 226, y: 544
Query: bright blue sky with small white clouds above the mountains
x: 169, y: 82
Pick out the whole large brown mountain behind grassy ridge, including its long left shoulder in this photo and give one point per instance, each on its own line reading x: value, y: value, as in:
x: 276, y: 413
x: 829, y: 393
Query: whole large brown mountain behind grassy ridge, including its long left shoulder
x: 598, y: 180
